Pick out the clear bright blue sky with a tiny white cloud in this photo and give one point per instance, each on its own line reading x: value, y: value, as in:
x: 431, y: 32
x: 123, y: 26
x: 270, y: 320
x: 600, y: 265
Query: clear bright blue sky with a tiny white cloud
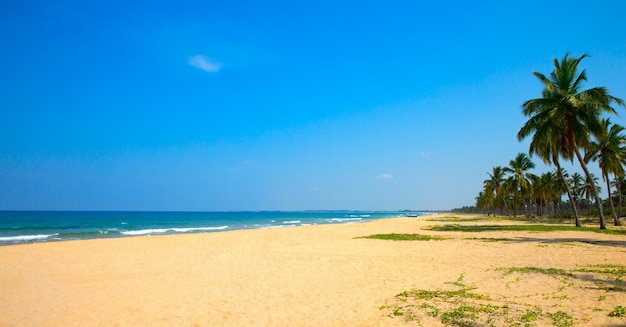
x: 235, y: 105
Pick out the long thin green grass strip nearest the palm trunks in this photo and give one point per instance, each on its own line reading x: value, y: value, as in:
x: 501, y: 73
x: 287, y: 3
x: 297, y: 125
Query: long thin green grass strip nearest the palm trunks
x: 525, y: 228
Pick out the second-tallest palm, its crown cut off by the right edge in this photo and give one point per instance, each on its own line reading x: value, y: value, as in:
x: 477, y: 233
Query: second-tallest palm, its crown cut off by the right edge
x: 609, y: 150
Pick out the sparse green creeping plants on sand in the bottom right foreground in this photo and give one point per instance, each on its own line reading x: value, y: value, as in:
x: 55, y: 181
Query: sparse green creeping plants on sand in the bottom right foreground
x: 459, y: 303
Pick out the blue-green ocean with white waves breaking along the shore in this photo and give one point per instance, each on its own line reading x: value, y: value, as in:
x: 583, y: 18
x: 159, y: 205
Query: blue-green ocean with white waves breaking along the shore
x: 17, y: 227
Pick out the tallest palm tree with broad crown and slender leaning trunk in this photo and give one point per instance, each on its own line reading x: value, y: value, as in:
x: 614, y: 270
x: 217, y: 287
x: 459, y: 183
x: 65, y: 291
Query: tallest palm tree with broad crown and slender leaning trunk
x: 570, y: 111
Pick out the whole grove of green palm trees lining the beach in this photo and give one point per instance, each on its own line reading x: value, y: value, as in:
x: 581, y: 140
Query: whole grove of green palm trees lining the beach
x: 565, y: 123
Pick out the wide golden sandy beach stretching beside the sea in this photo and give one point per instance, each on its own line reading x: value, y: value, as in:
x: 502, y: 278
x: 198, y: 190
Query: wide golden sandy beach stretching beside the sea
x: 307, y: 276
